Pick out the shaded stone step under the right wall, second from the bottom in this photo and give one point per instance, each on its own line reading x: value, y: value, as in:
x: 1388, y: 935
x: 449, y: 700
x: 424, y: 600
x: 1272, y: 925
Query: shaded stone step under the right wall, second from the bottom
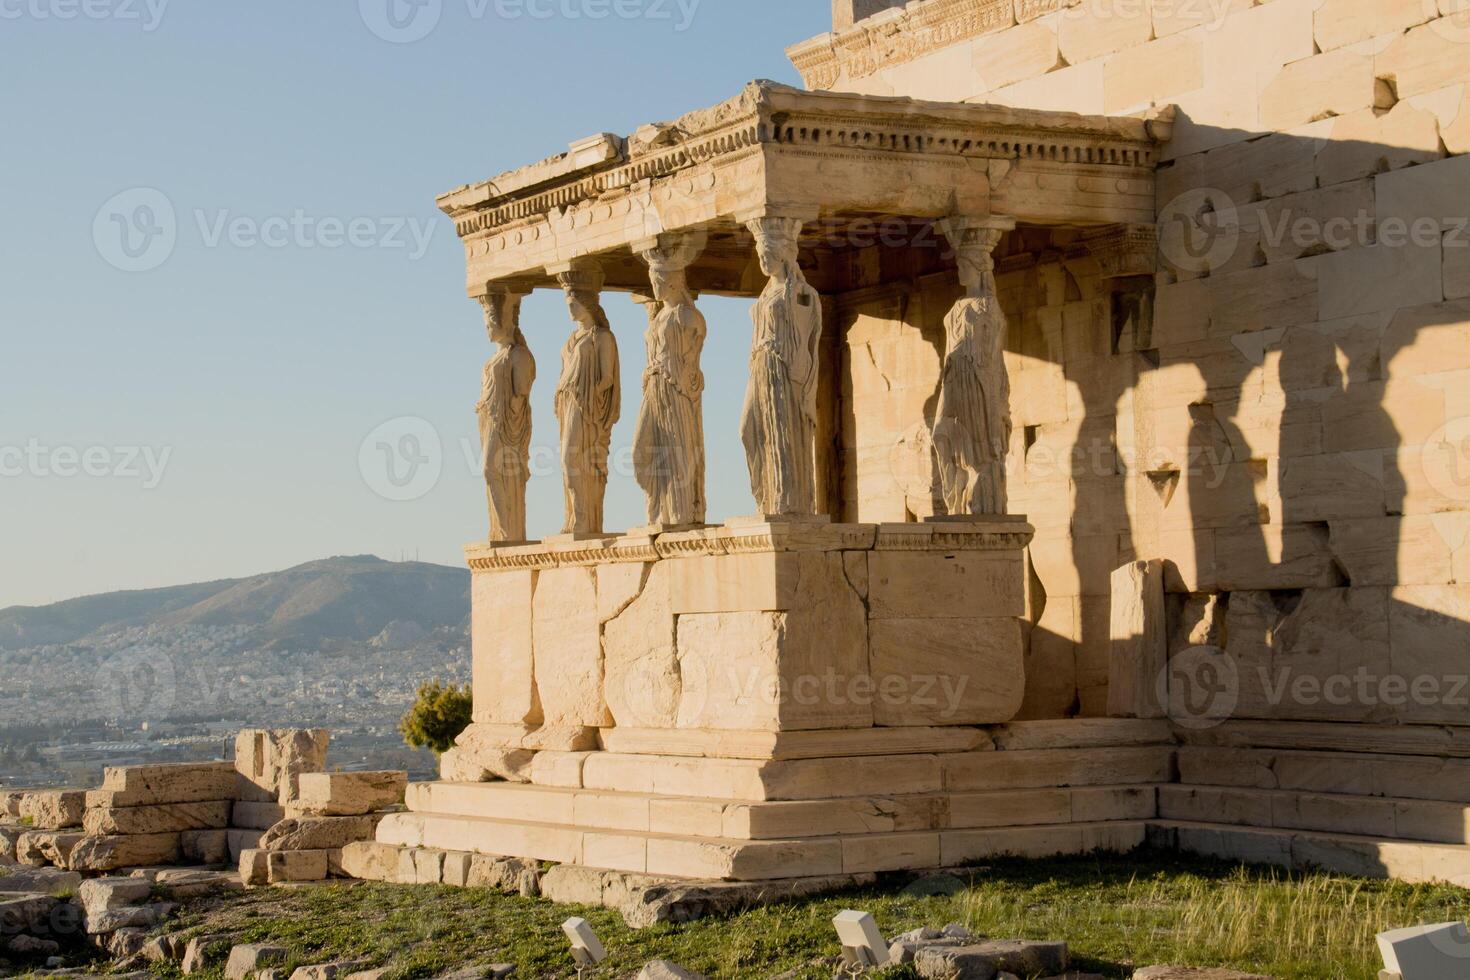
x: 1431, y: 822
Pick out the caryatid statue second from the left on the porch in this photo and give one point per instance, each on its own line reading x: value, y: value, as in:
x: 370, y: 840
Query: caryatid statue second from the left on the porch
x: 589, y: 400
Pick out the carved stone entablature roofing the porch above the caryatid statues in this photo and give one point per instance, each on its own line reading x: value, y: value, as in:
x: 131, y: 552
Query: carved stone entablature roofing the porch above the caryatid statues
x: 778, y: 151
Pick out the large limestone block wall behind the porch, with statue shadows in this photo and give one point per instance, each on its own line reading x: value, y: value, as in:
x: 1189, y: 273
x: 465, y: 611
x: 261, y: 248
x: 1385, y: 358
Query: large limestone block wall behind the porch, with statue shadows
x: 1291, y: 436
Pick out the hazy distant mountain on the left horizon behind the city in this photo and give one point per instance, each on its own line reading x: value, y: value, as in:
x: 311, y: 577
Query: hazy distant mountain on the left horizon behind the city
x: 315, y: 606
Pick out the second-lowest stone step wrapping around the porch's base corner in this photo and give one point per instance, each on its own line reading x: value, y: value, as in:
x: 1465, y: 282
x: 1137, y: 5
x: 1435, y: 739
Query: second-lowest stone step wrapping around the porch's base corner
x: 606, y: 810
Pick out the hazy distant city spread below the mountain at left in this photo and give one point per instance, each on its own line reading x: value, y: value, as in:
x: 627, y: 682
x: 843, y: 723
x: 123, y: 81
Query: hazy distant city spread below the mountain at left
x: 182, y: 693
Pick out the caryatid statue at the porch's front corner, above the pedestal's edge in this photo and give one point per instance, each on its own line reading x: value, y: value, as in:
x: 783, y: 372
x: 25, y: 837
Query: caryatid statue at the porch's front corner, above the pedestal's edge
x: 780, y: 419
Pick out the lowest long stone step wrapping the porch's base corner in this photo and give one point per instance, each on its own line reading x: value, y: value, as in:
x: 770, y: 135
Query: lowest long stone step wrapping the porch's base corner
x: 692, y: 857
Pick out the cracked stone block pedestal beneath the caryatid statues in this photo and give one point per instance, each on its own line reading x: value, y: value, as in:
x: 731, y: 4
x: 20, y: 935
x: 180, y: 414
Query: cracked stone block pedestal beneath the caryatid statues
x: 750, y: 628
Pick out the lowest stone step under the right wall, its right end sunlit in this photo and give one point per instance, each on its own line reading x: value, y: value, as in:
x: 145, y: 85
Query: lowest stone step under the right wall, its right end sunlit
x: 1306, y: 850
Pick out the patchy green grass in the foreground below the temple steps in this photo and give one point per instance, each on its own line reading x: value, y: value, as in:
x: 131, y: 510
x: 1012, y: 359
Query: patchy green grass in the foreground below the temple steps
x: 1116, y: 913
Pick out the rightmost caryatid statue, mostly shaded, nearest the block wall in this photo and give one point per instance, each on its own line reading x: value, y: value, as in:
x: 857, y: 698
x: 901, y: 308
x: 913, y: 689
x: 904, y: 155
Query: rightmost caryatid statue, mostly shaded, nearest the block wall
x: 972, y: 425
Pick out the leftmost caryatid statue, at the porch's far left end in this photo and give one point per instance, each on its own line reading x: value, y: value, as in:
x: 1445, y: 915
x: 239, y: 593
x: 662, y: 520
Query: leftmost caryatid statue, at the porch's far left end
x: 505, y: 417
